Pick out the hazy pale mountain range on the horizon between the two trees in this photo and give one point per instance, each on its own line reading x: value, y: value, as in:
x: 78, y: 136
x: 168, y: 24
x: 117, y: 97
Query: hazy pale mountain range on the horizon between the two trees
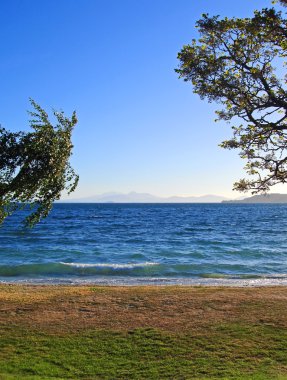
x: 134, y: 197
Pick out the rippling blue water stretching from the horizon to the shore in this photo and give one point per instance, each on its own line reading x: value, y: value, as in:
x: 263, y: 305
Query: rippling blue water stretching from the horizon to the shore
x: 149, y: 243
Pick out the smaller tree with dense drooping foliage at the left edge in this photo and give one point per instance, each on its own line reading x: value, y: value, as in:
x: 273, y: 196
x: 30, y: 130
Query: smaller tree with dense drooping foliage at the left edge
x: 34, y: 166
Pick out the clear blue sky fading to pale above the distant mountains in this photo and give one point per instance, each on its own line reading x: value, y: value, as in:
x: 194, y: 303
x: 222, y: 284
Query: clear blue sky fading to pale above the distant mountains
x: 140, y: 128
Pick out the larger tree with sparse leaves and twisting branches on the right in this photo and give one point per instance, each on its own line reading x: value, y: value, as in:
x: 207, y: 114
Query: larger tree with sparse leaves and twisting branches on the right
x: 234, y: 63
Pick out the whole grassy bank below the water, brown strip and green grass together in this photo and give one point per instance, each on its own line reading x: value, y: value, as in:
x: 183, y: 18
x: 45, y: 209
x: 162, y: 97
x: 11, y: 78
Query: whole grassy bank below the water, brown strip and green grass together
x: 142, y: 333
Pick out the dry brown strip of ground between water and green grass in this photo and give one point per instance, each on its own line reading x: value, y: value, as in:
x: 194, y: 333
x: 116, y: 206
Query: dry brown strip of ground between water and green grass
x: 70, y: 308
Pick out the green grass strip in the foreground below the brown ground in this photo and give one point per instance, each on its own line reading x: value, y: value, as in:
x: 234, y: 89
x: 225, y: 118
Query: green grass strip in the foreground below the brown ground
x: 224, y: 351
